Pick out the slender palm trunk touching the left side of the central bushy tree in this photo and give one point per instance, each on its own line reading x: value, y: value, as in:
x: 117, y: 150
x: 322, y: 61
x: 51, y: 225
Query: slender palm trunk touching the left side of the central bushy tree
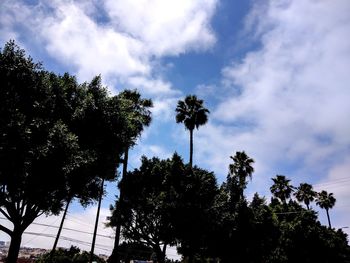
x: 114, y: 258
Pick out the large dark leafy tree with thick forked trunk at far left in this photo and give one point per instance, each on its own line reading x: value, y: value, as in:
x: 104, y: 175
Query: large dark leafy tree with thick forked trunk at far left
x: 58, y: 141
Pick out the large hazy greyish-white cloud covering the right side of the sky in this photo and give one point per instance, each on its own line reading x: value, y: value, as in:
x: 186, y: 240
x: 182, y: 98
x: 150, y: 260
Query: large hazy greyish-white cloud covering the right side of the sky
x: 286, y: 102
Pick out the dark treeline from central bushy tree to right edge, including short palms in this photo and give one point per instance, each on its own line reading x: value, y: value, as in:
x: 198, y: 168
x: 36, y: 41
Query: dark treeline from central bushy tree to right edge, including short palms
x: 168, y: 203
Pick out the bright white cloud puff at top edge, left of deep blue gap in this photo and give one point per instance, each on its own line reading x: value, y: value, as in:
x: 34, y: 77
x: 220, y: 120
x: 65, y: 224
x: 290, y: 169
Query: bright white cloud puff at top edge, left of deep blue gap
x: 165, y: 27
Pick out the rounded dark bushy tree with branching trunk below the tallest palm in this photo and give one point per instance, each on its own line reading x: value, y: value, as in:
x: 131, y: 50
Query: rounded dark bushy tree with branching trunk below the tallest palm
x: 166, y: 202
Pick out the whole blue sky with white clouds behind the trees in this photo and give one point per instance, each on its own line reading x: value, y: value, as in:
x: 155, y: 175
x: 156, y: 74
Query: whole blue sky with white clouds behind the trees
x: 274, y: 74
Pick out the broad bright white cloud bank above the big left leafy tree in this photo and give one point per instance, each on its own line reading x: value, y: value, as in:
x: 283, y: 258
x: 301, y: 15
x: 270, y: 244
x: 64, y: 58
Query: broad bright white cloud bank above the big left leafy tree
x: 122, y: 44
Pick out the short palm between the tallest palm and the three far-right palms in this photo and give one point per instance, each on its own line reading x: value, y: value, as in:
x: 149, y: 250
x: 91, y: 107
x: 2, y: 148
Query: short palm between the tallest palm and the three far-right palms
x: 241, y: 169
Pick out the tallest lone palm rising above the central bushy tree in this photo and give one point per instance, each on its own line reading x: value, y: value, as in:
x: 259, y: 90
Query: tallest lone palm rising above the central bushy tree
x: 193, y: 114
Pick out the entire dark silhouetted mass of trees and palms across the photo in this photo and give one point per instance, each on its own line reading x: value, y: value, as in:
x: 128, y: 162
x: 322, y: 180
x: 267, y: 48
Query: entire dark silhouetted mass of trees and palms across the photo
x: 61, y: 140
